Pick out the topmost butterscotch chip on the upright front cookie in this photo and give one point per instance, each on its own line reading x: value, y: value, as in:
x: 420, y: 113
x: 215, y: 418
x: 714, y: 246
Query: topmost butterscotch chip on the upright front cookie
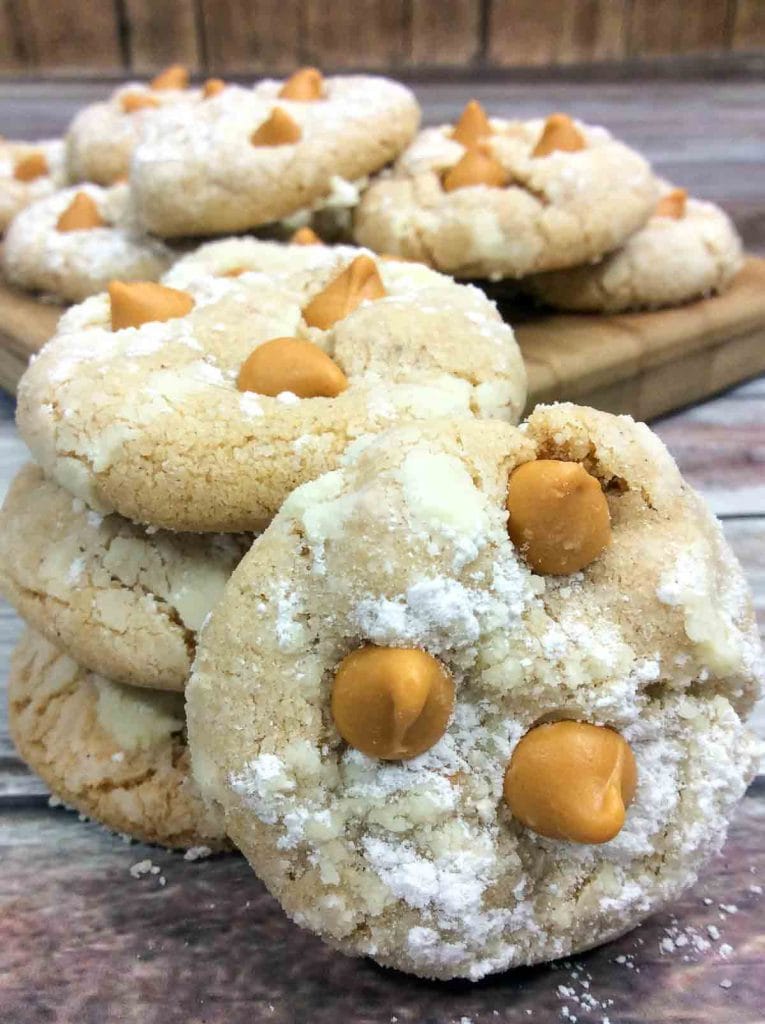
x: 559, y: 516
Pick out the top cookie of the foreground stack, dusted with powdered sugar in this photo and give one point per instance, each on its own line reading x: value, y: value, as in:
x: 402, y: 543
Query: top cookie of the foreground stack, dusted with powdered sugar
x: 208, y: 420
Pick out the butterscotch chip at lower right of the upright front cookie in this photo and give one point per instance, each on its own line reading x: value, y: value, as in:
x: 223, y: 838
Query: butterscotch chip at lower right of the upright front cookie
x: 572, y: 781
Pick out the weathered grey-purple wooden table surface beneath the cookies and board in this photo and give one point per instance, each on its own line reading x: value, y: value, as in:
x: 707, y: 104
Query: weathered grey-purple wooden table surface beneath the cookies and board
x: 82, y: 940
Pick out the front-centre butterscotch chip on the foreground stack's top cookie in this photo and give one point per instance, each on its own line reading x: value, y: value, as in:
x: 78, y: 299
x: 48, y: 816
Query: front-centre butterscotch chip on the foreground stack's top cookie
x: 291, y: 365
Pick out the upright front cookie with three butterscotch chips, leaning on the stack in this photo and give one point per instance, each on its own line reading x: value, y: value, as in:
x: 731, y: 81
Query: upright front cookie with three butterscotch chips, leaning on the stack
x: 457, y: 754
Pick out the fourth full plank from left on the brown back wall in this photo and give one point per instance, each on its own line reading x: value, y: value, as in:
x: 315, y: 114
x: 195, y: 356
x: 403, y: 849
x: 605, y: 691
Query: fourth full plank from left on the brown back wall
x: 366, y: 34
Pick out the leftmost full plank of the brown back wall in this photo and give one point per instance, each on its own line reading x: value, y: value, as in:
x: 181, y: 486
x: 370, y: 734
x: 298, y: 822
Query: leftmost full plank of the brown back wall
x: 84, y: 37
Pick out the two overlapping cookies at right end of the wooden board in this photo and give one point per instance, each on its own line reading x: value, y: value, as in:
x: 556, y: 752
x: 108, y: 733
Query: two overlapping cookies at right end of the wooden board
x: 575, y: 216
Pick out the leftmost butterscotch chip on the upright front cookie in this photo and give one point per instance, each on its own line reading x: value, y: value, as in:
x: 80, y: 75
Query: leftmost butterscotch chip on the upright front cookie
x: 392, y: 703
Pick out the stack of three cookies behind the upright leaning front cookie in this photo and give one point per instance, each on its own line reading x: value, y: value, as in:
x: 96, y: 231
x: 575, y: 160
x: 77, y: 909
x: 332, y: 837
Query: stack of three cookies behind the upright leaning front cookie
x: 169, y: 422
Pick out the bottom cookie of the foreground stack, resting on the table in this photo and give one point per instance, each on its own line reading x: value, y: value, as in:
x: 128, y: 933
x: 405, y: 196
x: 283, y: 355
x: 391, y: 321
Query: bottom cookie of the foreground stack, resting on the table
x: 116, y: 754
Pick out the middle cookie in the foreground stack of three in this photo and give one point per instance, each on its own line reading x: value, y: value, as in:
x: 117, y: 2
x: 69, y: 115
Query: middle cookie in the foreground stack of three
x: 123, y: 602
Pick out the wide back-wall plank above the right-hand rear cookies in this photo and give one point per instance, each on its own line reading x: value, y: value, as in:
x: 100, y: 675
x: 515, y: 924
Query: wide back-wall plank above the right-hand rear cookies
x: 545, y: 32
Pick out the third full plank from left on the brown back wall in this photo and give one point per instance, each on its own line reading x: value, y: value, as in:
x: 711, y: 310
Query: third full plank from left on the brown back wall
x: 242, y: 37
